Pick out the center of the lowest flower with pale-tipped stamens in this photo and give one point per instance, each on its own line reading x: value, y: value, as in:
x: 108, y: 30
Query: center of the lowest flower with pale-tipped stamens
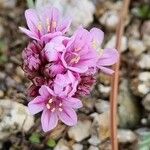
x: 54, y: 105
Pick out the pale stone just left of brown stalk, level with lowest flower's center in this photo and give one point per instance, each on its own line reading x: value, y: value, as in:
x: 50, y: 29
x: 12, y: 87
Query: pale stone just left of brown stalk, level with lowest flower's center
x: 102, y: 106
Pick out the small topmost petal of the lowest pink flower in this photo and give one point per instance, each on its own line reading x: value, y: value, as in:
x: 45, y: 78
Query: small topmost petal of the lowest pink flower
x: 45, y: 91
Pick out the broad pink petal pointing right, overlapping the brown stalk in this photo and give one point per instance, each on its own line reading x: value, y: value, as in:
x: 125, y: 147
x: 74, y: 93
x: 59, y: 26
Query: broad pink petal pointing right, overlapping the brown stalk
x: 108, y: 58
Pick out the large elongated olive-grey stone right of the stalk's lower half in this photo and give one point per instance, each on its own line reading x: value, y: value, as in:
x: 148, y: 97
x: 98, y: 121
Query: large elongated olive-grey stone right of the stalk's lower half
x: 129, y: 109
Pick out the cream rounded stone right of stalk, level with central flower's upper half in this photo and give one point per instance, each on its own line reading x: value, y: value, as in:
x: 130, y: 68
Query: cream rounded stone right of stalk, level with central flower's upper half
x: 137, y: 47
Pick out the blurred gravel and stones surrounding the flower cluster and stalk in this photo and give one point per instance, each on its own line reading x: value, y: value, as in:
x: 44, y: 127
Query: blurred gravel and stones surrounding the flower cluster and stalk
x: 21, y: 131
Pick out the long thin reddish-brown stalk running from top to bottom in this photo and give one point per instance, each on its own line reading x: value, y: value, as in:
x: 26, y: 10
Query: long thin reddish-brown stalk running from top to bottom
x: 115, y: 78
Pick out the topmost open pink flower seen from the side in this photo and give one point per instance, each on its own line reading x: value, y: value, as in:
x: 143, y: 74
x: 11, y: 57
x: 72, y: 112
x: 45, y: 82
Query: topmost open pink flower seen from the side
x: 44, y: 24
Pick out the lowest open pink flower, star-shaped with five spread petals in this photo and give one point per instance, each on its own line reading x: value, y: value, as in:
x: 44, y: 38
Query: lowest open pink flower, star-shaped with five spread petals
x: 54, y: 108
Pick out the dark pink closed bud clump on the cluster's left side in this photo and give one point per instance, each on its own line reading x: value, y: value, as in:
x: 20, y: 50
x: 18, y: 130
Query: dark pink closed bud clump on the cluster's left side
x: 31, y: 58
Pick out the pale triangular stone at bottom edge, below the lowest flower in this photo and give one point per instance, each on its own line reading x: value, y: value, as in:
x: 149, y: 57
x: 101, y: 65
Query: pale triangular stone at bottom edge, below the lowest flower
x: 62, y: 145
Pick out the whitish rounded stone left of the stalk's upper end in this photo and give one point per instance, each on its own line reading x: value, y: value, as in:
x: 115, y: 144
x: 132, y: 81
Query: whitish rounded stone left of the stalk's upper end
x: 110, y: 20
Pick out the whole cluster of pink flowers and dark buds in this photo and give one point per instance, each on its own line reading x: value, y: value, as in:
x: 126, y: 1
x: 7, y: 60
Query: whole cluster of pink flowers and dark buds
x: 61, y: 68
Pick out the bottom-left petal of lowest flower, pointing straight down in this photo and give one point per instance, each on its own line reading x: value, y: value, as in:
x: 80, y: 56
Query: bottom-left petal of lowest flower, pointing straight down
x: 49, y: 120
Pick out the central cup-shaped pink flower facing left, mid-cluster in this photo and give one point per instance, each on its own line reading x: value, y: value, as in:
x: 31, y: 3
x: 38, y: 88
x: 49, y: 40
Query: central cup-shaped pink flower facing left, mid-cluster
x: 79, y: 54
